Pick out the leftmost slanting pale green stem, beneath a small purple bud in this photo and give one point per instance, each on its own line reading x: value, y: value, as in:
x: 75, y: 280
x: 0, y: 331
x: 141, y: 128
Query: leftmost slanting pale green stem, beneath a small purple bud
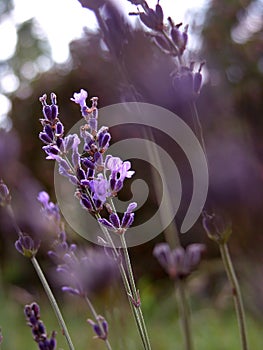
x: 52, y: 302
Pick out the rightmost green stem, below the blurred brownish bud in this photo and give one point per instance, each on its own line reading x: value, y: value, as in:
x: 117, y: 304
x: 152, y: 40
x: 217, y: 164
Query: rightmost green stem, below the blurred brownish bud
x: 236, y: 293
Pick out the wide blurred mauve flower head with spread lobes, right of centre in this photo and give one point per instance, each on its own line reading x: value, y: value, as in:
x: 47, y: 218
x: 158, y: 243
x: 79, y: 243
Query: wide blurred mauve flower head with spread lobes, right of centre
x: 179, y: 262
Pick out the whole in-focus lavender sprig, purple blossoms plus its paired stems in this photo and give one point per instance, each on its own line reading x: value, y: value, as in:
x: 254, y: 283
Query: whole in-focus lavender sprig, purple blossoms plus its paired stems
x: 97, y: 182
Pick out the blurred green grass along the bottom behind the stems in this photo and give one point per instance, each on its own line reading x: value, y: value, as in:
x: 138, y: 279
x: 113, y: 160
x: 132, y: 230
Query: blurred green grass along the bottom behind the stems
x: 213, y: 328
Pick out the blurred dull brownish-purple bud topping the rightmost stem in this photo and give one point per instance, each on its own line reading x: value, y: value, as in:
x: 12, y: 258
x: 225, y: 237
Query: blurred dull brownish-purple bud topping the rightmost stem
x: 216, y: 228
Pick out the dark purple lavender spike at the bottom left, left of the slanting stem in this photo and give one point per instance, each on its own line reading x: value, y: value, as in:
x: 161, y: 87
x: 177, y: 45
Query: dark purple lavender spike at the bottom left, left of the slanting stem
x: 32, y: 314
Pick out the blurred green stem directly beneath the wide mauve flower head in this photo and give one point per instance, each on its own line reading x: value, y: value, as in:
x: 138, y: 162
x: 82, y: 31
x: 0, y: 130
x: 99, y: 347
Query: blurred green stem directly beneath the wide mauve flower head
x: 185, y: 315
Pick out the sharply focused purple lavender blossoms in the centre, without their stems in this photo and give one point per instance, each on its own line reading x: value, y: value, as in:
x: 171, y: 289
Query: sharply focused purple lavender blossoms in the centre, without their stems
x: 97, y: 179
